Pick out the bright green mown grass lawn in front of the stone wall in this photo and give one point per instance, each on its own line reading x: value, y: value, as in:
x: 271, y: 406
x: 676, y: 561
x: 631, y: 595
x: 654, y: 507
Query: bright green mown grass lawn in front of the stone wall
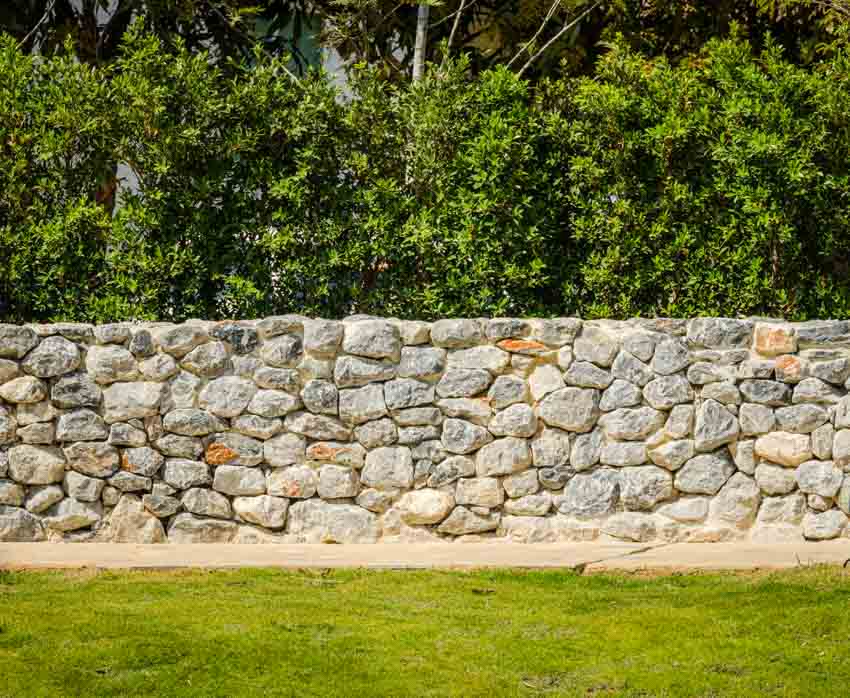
x: 352, y: 633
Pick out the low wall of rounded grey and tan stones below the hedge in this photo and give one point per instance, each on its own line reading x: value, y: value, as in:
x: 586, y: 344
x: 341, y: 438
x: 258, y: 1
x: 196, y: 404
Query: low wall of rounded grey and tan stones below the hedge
x: 364, y: 430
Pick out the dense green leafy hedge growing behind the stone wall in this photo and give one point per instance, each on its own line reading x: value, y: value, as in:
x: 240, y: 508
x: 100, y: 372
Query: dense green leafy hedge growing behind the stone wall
x: 718, y: 185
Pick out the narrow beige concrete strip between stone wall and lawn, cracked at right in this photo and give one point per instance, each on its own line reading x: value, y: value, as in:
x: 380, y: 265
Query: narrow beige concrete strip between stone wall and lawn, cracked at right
x: 586, y: 557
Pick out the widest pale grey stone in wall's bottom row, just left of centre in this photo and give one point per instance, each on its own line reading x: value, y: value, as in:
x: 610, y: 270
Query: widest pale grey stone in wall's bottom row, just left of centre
x: 315, y: 521
